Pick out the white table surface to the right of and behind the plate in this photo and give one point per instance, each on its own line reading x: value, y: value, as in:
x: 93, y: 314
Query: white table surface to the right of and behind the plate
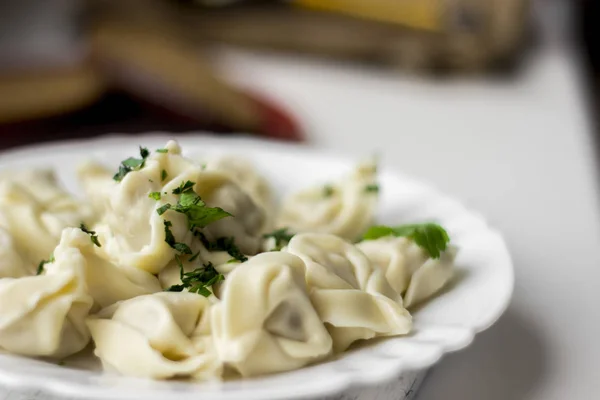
x: 520, y: 153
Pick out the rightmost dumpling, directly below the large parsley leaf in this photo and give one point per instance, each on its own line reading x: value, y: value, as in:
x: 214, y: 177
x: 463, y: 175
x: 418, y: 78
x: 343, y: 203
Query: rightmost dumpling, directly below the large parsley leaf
x: 408, y: 268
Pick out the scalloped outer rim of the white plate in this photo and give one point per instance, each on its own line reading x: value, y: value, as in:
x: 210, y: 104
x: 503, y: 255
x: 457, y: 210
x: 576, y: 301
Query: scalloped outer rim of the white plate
x: 342, y: 381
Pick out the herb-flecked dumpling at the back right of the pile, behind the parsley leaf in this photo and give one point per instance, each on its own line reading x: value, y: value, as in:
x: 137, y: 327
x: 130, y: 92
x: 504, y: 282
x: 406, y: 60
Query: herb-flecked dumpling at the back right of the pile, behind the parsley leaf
x: 345, y: 209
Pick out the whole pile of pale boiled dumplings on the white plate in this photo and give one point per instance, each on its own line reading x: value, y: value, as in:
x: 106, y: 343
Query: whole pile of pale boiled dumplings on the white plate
x: 281, y: 305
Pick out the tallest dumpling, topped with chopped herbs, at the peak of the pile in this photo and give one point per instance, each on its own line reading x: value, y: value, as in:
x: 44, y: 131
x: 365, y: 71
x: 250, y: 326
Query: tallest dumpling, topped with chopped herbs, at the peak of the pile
x: 131, y: 231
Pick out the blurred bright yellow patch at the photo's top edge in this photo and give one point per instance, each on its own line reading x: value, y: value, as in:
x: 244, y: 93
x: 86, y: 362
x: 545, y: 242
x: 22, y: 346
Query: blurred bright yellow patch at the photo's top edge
x: 418, y: 14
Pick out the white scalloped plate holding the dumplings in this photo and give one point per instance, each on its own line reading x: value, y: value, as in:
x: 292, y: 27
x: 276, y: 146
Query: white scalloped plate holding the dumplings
x: 447, y: 323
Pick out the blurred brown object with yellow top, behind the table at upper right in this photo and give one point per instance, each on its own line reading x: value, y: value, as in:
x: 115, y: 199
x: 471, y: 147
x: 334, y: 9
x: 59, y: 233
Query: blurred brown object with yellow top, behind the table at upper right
x: 462, y: 36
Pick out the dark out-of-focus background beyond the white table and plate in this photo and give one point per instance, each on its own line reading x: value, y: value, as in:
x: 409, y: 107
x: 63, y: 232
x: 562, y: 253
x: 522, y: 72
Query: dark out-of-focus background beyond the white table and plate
x: 79, y: 68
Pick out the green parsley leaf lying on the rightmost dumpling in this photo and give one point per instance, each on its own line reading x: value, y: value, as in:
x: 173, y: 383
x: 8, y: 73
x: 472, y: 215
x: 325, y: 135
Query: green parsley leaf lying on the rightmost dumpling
x: 429, y: 236
